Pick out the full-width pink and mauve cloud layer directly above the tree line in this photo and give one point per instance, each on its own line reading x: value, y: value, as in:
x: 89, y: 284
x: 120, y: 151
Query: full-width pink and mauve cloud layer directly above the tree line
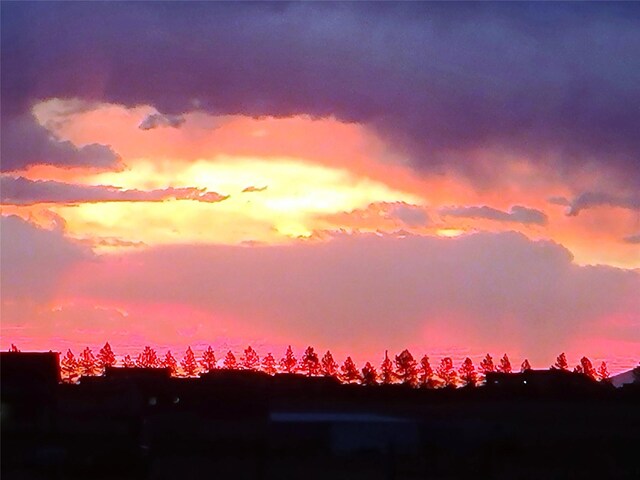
x: 357, y: 294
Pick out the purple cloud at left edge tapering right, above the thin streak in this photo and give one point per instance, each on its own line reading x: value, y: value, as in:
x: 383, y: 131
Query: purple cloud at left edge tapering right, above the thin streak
x: 25, y: 143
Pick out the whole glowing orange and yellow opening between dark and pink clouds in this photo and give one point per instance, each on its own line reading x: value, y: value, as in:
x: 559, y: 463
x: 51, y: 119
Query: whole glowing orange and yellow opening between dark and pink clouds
x: 308, y: 175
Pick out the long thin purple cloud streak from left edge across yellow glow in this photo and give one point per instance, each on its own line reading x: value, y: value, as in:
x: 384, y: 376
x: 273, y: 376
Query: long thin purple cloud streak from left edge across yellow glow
x: 21, y: 191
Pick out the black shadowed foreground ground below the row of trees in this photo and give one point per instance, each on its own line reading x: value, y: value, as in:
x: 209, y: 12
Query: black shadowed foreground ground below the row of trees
x: 141, y: 424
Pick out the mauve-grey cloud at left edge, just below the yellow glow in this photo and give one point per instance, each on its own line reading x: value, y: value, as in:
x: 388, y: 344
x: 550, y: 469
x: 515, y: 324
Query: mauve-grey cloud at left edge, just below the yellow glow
x: 33, y: 260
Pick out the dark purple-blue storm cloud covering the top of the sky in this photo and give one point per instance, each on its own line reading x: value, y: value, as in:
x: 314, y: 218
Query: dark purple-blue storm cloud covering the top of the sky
x: 556, y: 82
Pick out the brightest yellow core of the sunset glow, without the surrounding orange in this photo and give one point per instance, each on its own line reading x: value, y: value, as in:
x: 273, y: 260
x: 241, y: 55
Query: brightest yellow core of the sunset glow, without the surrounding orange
x: 296, y: 193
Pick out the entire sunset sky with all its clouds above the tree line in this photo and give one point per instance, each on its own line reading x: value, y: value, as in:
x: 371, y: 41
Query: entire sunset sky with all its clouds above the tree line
x: 452, y: 178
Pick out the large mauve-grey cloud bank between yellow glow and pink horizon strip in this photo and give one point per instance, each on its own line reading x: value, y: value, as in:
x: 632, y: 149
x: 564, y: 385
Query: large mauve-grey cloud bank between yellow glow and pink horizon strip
x: 375, y: 291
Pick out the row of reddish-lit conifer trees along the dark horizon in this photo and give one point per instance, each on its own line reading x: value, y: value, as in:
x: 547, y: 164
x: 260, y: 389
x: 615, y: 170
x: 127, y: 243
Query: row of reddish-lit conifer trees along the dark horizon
x: 403, y: 369
